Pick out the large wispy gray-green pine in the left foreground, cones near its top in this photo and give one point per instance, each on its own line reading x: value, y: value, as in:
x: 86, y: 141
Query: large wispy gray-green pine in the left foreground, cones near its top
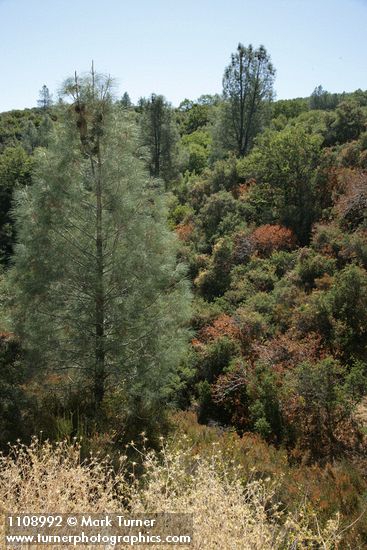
x: 98, y: 291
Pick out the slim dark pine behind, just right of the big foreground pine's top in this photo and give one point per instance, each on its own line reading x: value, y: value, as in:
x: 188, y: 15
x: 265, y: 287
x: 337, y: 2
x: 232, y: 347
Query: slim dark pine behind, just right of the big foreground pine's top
x: 159, y: 135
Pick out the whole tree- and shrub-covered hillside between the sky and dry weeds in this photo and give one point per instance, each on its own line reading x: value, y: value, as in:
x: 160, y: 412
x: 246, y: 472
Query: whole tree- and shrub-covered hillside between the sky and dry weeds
x: 195, y: 271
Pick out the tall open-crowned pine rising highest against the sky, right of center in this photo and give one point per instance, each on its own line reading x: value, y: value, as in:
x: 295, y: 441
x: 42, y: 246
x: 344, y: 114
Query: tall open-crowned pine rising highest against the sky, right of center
x: 247, y: 88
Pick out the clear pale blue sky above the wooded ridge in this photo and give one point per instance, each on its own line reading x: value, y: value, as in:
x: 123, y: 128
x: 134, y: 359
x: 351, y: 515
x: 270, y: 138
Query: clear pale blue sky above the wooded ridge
x: 179, y: 48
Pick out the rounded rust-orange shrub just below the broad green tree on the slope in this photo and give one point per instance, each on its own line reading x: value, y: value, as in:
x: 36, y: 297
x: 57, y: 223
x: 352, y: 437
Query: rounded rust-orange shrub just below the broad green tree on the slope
x: 269, y: 238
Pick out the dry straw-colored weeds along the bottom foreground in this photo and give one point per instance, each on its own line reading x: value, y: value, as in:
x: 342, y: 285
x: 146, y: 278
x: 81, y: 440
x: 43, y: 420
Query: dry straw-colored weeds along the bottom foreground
x: 228, y: 514
